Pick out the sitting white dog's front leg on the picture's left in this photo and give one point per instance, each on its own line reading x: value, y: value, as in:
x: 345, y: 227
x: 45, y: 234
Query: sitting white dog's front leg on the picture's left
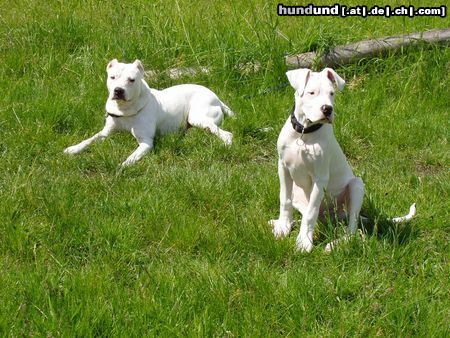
x: 282, y: 226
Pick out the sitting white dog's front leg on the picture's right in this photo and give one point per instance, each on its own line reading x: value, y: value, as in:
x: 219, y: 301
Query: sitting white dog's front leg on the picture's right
x: 309, y: 219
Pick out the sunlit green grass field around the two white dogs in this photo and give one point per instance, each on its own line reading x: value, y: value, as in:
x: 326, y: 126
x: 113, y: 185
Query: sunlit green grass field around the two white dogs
x: 178, y: 245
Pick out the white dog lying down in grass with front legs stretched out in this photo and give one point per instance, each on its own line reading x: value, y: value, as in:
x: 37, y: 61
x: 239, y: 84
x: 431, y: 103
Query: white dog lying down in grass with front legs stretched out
x: 133, y: 106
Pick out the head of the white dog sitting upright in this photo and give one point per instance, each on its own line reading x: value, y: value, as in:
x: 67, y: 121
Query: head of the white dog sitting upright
x: 314, y: 94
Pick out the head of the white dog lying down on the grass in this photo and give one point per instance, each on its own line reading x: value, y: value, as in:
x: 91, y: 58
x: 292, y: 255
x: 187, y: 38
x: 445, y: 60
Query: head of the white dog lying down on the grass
x: 124, y: 80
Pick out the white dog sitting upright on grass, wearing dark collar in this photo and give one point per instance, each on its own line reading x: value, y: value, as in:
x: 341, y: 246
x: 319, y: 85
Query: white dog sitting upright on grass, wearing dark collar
x: 315, y: 176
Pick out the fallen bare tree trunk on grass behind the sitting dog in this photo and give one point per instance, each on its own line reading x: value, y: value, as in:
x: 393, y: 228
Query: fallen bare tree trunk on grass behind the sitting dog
x: 344, y: 54
